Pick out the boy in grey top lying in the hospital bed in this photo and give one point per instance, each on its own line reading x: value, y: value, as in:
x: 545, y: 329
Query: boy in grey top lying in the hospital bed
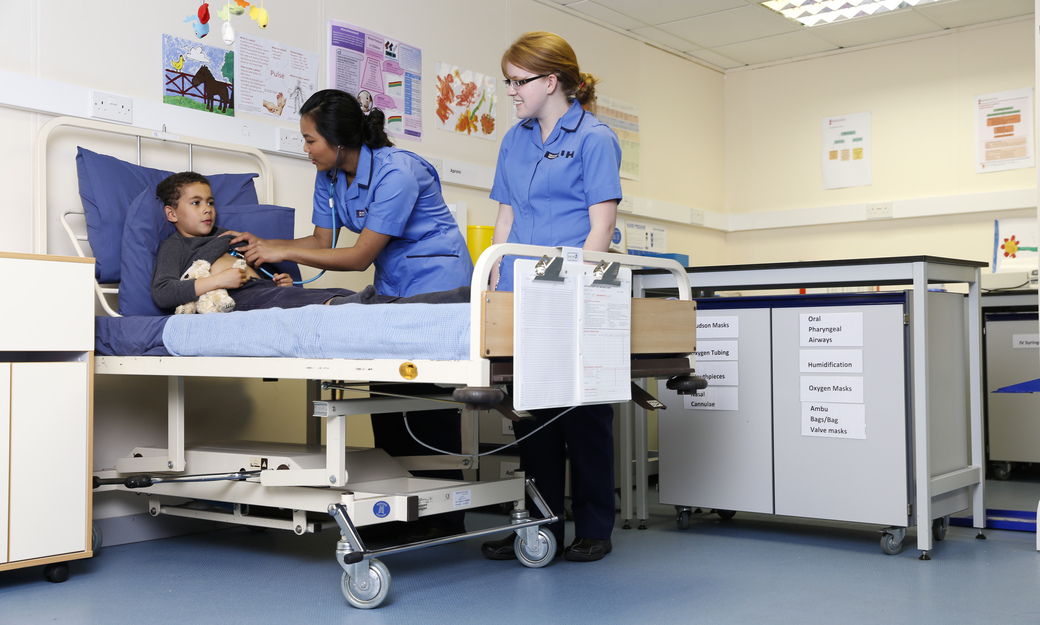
x: 189, y: 204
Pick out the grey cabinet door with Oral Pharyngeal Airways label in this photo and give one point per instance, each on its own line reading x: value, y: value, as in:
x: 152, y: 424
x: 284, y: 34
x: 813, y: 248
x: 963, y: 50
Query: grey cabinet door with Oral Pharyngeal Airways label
x: 840, y: 410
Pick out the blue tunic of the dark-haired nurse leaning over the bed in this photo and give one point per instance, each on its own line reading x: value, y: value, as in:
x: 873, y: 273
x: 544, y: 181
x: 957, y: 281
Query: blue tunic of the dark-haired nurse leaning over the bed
x: 399, y: 194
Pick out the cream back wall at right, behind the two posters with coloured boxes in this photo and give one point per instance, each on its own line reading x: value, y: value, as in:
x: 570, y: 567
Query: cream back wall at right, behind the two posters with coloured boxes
x: 920, y: 94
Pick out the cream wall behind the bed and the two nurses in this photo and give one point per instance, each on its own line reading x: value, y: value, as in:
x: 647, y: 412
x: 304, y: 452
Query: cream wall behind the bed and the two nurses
x: 115, y: 46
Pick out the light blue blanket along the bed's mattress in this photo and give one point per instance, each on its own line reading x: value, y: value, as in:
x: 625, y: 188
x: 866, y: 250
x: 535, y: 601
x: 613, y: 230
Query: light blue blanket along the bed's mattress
x: 386, y: 331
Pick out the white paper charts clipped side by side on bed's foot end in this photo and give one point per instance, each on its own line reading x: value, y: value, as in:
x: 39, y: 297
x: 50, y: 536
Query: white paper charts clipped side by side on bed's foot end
x: 571, y: 337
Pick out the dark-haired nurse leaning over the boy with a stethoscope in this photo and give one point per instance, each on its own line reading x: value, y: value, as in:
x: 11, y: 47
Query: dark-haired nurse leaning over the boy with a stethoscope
x: 392, y: 198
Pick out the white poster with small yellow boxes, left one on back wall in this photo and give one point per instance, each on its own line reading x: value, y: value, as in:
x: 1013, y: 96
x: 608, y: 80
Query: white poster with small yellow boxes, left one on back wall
x: 847, y: 151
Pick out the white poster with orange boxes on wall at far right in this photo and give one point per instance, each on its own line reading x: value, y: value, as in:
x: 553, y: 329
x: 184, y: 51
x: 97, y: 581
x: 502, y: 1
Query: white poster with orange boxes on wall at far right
x: 1004, y: 132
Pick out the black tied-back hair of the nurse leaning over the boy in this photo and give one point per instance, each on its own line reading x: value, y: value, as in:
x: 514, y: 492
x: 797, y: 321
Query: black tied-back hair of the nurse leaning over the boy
x: 339, y: 119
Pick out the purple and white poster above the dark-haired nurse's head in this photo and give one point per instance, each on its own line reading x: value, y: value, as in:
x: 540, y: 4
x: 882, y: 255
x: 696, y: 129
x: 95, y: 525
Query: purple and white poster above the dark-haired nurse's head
x: 381, y: 72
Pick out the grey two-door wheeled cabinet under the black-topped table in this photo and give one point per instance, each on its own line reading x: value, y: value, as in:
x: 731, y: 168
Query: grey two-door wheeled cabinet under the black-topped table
x: 808, y: 410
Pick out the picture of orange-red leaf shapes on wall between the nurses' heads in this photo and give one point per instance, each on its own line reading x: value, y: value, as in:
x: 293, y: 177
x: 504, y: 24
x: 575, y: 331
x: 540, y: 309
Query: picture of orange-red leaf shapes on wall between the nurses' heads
x: 465, y: 101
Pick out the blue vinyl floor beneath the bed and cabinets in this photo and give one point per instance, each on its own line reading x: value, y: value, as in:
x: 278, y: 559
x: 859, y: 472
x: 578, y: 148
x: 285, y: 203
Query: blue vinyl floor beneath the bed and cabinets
x: 752, y: 569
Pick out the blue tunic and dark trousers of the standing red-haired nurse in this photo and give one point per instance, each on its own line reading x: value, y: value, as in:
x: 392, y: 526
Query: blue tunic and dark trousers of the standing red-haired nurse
x: 551, y: 188
